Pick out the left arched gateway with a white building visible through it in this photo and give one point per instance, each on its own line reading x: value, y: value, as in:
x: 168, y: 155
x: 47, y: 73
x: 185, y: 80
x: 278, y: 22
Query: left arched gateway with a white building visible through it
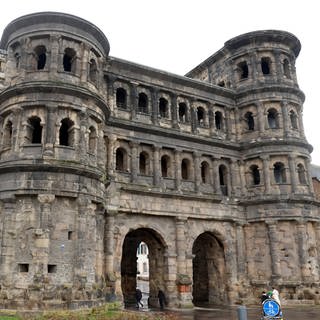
x: 157, y: 265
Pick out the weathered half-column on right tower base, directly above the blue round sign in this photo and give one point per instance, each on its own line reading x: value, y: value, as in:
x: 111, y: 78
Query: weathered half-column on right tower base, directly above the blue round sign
x: 274, y: 244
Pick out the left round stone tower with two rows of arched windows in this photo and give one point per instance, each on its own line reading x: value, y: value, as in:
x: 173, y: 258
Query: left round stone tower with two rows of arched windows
x: 52, y: 159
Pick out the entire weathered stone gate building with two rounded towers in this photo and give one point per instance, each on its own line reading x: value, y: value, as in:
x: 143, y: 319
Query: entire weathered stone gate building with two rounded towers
x: 211, y: 170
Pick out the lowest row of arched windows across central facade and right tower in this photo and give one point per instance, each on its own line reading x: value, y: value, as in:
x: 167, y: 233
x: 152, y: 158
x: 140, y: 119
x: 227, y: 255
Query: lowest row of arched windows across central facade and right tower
x: 187, y: 170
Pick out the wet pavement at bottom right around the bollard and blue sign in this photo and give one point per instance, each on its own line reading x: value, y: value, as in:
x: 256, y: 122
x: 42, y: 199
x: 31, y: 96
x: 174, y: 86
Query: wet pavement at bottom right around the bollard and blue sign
x: 289, y: 313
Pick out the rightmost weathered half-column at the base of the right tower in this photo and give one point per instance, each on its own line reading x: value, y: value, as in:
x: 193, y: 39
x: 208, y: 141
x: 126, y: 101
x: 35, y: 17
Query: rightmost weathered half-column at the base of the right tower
x: 302, y: 249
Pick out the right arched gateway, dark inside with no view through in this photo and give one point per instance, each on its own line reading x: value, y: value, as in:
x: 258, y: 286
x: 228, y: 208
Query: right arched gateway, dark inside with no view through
x: 209, y: 271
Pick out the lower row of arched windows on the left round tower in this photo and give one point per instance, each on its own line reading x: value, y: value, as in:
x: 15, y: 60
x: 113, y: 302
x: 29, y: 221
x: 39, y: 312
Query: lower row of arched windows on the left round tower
x: 34, y: 134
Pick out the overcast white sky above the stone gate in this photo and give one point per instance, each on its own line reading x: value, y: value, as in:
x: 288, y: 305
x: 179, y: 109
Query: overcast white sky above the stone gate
x: 177, y: 35
